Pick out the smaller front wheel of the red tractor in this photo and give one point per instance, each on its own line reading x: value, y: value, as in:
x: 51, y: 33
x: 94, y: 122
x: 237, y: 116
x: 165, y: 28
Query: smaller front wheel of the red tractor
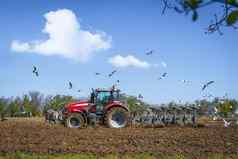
x: 75, y: 120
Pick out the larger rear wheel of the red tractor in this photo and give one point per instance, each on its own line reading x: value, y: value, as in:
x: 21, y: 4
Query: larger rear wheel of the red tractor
x: 117, y: 117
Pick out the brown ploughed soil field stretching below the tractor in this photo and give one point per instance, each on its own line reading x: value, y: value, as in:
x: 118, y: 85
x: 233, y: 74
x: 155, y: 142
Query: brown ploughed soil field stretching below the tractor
x: 34, y: 136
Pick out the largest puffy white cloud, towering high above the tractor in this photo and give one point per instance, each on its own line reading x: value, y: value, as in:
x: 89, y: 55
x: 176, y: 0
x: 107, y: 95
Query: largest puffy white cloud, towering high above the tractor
x: 65, y: 38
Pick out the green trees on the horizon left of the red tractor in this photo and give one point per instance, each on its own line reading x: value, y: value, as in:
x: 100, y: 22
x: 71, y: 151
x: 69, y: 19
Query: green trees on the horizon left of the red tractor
x: 33, y: 102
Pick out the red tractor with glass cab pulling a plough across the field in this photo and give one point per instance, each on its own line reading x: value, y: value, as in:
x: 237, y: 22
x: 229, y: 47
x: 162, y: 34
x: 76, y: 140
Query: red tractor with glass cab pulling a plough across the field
x: 103, y: 107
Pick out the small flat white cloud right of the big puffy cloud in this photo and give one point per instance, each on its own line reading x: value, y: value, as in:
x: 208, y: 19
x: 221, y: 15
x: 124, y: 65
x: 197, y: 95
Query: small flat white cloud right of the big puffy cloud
x: 128, y: 61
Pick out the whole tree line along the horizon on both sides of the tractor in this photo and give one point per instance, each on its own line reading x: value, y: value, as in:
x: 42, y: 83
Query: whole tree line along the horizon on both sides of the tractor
x: 36, y: 103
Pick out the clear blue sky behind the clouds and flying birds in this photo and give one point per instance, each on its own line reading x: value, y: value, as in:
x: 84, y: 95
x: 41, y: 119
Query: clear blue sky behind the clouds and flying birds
x: 132, y: 27
